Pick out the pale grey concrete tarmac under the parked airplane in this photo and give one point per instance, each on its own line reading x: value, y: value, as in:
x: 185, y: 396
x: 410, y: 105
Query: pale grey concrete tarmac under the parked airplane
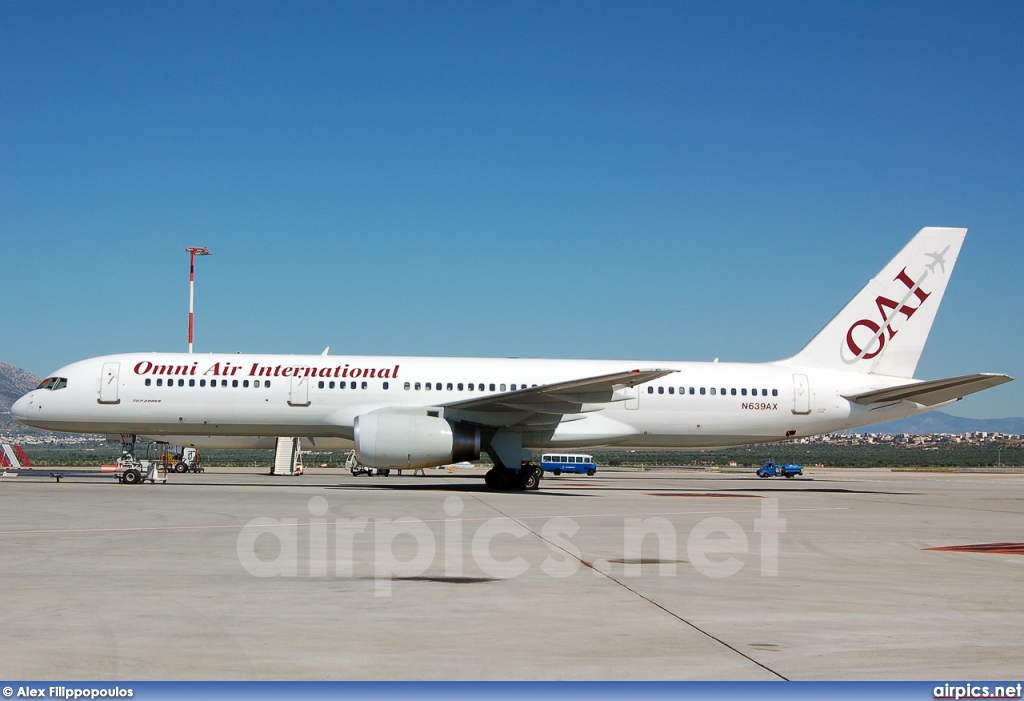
x: 669, y: 575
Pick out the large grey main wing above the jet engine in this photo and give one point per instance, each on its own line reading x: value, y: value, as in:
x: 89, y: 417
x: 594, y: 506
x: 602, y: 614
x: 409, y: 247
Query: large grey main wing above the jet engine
x: 546, y: 405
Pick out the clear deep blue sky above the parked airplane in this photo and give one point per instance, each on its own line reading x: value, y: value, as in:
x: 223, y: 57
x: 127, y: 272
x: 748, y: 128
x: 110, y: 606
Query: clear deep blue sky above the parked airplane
x: 637, y: 181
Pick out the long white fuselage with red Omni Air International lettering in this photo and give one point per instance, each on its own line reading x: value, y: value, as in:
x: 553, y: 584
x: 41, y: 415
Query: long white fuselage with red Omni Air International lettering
x: 248, y: 401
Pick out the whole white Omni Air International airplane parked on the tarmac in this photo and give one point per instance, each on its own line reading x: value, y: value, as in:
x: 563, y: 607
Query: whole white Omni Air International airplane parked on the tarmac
x: 412, y: 413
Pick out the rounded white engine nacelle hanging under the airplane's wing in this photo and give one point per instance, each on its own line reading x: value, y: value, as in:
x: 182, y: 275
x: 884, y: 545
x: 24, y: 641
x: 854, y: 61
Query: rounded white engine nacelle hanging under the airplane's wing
x: 411, y: 441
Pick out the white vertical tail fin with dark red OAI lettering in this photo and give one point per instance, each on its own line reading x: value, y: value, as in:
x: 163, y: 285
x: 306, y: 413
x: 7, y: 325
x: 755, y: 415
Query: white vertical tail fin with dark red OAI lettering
x: 884, y: 329
